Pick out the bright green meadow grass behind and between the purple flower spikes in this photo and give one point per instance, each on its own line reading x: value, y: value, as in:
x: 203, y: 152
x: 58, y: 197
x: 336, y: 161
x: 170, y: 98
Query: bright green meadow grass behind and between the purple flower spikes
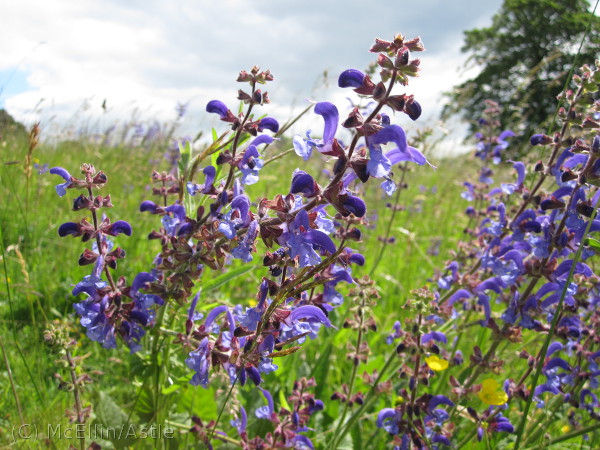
x: 39, y: 270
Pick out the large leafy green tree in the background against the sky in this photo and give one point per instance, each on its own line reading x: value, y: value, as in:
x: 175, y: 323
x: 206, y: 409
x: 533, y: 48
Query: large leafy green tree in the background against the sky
x: 525, y: 57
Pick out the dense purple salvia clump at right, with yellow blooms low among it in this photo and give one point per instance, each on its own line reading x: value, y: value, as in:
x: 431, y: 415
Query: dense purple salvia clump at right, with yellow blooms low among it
x: 528, y: 270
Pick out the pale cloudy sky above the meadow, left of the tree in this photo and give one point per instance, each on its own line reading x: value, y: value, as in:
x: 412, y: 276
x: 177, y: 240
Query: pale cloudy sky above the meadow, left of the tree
x: 60, y: 59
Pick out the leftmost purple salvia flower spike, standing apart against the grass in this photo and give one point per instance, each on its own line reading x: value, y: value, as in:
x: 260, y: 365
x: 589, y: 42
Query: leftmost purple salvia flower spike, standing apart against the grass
x: 111, y: 309
